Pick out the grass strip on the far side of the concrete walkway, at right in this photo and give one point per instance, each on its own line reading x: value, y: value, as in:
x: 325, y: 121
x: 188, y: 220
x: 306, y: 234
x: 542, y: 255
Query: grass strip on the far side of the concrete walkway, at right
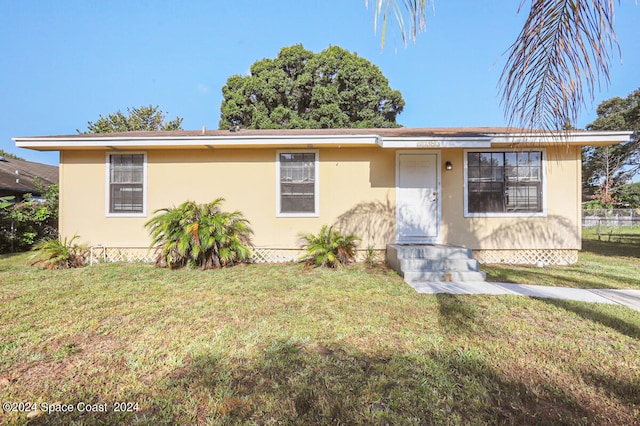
x: 613, y: 261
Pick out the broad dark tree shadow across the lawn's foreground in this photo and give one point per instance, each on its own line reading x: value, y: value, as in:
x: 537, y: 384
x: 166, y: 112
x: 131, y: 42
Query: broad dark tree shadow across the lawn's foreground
x: 293, y: 382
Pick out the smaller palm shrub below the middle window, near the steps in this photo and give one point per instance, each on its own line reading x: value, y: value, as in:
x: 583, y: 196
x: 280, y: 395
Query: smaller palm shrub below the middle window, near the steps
x: 329, y: 248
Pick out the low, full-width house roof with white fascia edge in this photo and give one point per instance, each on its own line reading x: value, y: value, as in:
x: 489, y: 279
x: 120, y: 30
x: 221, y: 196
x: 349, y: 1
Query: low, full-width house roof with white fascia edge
x: 400, y: 137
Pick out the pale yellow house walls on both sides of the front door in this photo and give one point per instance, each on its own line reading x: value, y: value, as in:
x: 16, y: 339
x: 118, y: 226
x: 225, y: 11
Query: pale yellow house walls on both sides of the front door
x: 357, y: 195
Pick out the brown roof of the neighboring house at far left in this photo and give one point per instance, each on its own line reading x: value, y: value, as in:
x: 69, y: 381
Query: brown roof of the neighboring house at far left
x: 19, y: 175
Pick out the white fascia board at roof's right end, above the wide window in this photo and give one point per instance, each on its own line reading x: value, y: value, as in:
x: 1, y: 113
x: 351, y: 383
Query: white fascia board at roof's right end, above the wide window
x: 572, y: 138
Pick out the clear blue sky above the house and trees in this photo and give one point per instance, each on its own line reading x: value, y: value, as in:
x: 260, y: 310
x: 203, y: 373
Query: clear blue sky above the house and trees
x: 64, y: 63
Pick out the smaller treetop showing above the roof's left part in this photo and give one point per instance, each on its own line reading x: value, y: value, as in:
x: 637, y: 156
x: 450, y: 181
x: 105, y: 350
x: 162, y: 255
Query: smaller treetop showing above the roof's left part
x: 146, y: 118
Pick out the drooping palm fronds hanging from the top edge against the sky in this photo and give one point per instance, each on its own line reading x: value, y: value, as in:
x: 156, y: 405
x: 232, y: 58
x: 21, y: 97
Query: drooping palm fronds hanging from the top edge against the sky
x: 562, y: 52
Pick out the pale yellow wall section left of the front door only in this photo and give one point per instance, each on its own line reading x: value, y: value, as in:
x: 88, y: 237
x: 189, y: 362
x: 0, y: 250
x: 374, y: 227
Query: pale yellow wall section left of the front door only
x: 357, y: 193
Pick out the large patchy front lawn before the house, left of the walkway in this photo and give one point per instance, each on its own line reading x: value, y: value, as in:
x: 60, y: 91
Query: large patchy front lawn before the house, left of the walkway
x: 284, y: 344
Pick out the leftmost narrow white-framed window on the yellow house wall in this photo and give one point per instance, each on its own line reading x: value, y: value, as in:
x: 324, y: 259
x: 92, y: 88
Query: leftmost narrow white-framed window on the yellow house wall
x: 126, y: 183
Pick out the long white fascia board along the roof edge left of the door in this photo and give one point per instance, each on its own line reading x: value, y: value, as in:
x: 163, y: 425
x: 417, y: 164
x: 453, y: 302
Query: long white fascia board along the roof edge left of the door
x: 56, y: 143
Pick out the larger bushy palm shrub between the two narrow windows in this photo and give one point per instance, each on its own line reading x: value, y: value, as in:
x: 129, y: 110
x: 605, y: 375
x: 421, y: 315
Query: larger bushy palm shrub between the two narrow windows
x: 199, y: 235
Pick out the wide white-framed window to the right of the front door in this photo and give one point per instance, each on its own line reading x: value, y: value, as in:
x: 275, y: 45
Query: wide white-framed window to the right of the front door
x: 504, y: 182
